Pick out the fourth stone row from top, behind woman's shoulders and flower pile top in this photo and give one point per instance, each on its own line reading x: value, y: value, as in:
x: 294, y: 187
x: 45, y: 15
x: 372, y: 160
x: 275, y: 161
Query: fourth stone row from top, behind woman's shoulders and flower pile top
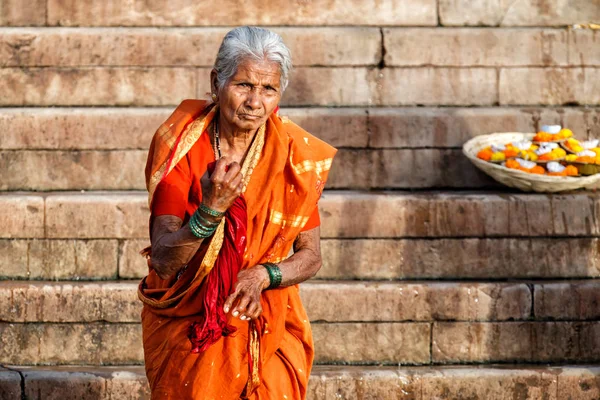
x: 373, y: 128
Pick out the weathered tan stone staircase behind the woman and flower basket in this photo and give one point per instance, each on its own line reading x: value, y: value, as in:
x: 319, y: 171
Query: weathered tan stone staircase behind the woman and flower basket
x: 437, y: 283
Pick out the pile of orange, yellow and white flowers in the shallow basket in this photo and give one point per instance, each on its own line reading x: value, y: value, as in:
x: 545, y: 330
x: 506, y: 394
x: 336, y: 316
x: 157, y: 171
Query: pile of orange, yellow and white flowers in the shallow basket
x: 553, y: 151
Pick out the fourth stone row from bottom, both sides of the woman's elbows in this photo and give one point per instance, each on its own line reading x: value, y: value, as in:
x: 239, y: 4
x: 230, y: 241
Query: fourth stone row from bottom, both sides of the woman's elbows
x: 374, y: 259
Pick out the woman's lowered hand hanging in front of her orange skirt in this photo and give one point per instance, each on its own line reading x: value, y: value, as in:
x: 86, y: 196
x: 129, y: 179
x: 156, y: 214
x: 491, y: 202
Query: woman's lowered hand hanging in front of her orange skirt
x: 245, y: 298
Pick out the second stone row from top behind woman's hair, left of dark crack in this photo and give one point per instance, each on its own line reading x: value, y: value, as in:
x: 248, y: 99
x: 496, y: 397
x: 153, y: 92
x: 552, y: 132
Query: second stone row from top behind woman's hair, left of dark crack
x: 145, y: 47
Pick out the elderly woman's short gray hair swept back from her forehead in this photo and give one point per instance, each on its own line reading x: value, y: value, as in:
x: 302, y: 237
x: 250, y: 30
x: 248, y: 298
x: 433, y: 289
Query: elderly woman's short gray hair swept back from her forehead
x: 254, y: 43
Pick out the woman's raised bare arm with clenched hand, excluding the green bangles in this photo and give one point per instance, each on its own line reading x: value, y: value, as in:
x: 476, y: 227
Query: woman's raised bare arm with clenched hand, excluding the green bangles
x: 174, y: 245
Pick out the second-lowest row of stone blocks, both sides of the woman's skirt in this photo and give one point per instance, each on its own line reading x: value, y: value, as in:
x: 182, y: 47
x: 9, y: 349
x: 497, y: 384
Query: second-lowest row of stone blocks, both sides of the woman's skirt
x: 357, y: 343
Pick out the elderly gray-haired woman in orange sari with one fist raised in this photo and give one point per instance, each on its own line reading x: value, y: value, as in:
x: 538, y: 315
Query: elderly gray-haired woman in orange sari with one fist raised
x: 232, y: 188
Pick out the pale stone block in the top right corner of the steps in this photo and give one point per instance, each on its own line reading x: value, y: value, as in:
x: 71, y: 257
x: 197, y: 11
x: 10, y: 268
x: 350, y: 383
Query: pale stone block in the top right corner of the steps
x: 517, y: 13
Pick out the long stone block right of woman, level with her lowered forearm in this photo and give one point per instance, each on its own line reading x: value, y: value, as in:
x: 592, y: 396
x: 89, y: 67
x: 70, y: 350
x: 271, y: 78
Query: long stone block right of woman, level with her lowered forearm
x: 459, y: 258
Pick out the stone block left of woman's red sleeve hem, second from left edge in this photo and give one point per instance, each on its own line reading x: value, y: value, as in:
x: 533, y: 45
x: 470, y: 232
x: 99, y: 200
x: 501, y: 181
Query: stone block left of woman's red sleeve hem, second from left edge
x: 88, y: 216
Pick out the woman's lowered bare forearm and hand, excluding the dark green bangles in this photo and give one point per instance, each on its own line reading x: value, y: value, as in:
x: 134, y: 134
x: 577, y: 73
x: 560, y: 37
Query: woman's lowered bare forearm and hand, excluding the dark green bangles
x: 302, y: 265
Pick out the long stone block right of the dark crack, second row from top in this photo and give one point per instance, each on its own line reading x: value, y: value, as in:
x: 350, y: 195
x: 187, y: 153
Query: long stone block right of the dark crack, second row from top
x: 464, y: 47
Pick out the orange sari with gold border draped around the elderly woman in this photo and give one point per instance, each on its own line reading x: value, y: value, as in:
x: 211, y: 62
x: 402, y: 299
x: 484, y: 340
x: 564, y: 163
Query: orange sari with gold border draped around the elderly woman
x: 285, y: 171
